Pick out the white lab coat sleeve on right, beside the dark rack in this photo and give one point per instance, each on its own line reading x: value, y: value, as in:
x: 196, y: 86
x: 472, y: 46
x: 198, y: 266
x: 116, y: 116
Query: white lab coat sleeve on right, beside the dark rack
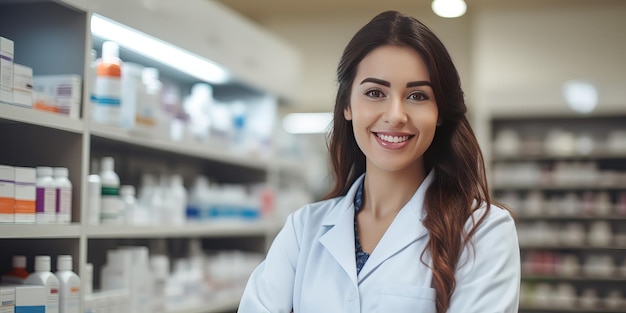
x: 488, y: 277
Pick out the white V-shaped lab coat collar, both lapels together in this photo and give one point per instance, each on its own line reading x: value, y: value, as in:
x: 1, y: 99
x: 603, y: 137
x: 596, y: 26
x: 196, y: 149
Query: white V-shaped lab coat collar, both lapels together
x: 405, y: 229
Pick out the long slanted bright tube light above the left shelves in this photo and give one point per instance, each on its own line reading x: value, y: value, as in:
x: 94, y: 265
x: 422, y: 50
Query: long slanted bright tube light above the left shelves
x: 158, y: 50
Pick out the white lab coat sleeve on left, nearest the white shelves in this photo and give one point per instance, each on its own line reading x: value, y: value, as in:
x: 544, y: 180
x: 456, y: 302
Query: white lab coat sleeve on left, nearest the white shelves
x: 270, y: 286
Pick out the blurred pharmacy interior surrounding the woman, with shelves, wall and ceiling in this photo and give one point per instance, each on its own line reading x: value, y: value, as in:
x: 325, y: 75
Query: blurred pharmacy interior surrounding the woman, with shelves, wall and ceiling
x: 148, y: 162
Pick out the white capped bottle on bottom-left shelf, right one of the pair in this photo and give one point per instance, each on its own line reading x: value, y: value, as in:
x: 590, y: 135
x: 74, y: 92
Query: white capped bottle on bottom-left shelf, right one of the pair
x: 69, y: 286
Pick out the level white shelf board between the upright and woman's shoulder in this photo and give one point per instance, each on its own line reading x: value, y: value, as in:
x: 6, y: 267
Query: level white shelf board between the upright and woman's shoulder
x: 206, y: 230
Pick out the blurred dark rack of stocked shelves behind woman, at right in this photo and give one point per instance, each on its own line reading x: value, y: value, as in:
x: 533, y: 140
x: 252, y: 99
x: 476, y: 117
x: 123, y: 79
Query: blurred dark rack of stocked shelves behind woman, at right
x: 551, y: 171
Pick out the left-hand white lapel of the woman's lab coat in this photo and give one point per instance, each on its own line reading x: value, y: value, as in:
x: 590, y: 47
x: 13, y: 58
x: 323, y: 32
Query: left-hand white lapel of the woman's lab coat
x: 339, y: 239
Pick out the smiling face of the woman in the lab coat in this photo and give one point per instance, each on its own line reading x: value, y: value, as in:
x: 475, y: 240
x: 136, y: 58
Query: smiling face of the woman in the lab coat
x: 393, y: 109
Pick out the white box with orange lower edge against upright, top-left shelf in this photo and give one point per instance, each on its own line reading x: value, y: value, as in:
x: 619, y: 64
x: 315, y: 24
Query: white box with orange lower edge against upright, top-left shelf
x: 64, y: 91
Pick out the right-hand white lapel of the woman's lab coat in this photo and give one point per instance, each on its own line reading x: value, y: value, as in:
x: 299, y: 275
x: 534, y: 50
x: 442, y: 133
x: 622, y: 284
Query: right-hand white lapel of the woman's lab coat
x: 405, y: 229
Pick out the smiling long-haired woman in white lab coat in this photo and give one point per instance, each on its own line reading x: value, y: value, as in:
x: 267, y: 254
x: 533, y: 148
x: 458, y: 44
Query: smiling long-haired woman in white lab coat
x: 409, y: 225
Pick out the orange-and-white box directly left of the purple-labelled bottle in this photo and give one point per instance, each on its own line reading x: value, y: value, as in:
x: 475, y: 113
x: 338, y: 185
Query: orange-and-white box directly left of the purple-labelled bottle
x: 25, y: 194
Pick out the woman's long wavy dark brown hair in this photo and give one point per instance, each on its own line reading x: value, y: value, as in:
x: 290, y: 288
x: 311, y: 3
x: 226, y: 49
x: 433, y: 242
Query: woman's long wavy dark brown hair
x: 460, y: 184
